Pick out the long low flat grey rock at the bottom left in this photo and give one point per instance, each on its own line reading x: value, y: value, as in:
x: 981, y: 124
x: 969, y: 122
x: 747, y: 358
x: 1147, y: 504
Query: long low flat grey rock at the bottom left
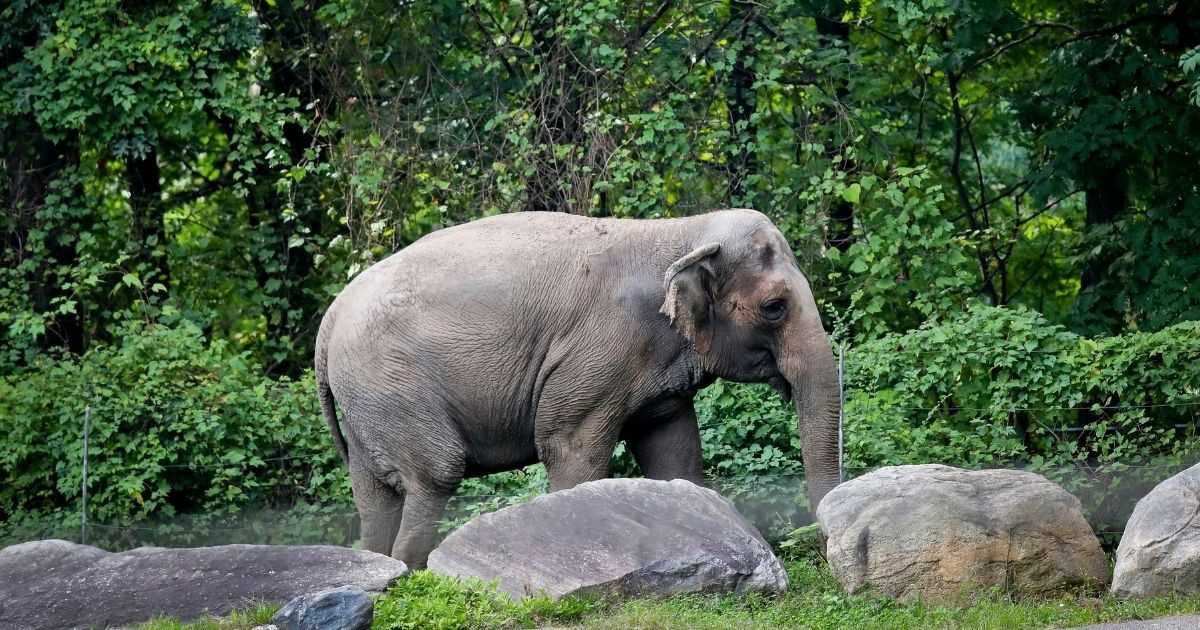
x: 55, y: 584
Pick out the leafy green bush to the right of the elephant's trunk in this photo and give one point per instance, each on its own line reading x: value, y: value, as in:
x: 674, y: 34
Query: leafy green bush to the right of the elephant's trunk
x: 997, y: 386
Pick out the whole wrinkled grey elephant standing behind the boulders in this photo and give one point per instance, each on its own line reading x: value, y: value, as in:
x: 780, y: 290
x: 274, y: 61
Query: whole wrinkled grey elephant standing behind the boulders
x: 550, y: 338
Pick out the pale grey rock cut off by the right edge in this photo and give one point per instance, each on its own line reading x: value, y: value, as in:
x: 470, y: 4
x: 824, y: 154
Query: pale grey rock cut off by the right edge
x: 1160, y: 551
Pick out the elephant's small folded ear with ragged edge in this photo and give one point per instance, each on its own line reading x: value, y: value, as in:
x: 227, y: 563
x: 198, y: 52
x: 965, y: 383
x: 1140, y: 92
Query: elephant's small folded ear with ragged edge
x: 688, y: 302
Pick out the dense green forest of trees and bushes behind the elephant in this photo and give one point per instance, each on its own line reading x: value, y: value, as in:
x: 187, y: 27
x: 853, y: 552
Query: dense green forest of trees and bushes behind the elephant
x: 997, y: 202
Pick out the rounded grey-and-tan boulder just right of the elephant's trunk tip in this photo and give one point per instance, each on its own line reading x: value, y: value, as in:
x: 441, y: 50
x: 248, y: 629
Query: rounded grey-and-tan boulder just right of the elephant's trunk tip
x: 940, y: 535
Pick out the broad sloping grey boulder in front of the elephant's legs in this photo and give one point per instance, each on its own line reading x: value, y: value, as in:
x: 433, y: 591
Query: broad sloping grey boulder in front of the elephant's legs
x: 617, y: 538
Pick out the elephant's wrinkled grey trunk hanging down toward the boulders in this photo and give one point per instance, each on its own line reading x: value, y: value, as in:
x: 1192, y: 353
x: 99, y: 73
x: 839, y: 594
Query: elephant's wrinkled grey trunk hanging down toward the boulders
x: 812, y: 371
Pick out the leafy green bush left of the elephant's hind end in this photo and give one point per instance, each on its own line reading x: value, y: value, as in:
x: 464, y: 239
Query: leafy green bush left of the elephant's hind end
x: 177, y: 424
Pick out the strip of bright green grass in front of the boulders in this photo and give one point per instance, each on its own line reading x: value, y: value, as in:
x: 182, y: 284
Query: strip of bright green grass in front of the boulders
x: 431, y: 602
